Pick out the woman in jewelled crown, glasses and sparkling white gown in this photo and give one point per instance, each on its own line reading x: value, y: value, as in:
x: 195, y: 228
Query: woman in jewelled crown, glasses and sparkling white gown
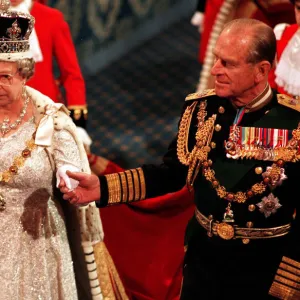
x: 38, y: 144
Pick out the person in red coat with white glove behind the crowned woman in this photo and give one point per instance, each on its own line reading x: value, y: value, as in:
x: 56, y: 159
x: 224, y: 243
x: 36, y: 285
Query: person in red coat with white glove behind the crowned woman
x: 53, y: 40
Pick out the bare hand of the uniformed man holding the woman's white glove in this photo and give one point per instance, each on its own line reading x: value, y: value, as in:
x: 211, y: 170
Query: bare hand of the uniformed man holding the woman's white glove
x: 88, y: 189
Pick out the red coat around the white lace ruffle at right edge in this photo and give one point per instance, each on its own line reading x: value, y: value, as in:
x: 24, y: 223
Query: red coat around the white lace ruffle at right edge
x: 281, y: 44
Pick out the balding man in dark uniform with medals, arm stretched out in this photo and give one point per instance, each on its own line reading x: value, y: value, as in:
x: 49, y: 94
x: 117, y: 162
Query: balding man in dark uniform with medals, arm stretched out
x: 237, y: 147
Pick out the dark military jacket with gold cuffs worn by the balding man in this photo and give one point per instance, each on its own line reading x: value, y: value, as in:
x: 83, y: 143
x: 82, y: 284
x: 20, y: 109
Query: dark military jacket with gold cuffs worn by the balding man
x: 238, y: 176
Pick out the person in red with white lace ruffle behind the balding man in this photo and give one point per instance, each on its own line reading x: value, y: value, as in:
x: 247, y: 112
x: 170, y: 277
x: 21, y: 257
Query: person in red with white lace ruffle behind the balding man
x: 286, y: 76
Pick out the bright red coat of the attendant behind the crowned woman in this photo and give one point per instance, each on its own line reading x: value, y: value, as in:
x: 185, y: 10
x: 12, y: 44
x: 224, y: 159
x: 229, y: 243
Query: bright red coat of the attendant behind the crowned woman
x: 55, y: 41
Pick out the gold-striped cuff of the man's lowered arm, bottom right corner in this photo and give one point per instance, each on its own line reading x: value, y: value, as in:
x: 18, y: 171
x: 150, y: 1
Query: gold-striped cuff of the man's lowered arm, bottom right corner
x: 286, y: 284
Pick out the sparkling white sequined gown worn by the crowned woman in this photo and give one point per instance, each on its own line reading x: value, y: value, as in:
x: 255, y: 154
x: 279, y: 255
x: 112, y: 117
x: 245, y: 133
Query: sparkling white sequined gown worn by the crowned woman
x: 35, y: 258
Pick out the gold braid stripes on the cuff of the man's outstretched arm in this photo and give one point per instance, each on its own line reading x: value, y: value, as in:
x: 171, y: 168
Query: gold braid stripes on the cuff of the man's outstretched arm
x: 126, y: 186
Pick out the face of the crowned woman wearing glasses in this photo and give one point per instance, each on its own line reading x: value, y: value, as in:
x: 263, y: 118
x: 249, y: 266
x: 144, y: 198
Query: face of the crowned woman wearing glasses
x: 13, y: 83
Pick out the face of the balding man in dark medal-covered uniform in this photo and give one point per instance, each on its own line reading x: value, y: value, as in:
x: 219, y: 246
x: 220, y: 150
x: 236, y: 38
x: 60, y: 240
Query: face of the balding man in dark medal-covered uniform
x: 234, y: 77
